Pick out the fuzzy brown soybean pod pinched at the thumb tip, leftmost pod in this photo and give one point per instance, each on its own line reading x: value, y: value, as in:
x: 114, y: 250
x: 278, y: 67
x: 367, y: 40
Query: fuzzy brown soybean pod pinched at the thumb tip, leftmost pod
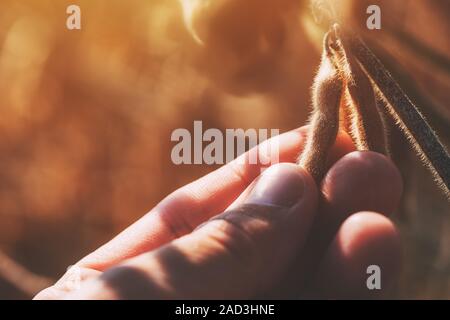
x: 326, y: 97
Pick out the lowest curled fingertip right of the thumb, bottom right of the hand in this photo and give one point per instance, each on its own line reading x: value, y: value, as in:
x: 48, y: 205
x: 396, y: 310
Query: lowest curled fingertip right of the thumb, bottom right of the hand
x: 363, y: 261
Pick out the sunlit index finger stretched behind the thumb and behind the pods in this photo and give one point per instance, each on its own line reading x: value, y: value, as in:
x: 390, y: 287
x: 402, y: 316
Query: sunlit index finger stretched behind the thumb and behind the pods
x: 186, y: 208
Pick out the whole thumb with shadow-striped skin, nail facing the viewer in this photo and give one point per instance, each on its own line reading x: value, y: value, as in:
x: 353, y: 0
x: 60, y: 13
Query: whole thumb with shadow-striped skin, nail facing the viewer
x: 238, y: 254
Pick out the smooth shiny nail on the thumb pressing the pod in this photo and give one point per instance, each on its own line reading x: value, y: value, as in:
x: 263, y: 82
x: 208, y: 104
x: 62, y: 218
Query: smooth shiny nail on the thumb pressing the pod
x: 280, y: 185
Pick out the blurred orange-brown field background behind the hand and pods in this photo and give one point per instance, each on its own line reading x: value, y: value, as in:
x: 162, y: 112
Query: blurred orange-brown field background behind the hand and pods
x: 86, y: 115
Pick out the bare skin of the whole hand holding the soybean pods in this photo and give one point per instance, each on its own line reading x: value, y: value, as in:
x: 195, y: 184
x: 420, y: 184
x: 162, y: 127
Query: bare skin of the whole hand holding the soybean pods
x: 275, y: 239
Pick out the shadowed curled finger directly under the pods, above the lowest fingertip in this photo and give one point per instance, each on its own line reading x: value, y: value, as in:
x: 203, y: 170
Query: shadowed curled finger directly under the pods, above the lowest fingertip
x: 359, y: 181
